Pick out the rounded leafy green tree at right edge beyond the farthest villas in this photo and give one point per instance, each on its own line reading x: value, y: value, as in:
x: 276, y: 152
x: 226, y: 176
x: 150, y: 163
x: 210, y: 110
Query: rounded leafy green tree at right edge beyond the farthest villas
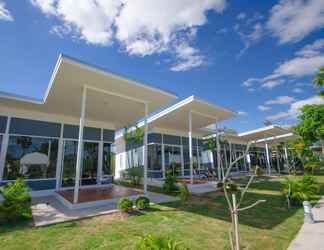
x: 311, y: 125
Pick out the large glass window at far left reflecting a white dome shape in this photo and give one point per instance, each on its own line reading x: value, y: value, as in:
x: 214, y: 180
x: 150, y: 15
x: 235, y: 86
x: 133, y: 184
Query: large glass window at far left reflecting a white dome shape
x: 31, y: 158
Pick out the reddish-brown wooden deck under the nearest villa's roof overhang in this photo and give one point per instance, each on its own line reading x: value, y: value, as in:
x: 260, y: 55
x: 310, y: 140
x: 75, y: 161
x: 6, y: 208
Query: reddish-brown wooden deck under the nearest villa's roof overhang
x: 99, y: 193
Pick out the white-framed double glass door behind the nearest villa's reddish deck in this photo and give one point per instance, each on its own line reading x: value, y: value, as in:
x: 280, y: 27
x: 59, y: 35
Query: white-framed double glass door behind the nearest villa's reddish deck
x: 89, y: 164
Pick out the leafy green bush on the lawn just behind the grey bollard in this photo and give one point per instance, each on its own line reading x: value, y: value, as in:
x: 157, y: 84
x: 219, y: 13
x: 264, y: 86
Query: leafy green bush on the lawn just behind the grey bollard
x: 298, y: 190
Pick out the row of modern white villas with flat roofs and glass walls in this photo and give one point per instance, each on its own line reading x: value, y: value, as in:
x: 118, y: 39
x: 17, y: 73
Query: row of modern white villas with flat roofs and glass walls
x: 40, y: 140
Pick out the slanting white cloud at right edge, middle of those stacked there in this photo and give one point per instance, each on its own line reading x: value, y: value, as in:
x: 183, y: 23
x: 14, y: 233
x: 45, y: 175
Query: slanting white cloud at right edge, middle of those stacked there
x: 305, y: 63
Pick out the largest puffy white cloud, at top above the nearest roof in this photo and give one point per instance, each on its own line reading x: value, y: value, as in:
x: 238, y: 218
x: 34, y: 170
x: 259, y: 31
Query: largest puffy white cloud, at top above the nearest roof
x: 142, y: 27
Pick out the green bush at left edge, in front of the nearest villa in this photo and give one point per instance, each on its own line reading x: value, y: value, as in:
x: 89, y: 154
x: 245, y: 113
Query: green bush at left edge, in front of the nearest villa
x: 17, y: 202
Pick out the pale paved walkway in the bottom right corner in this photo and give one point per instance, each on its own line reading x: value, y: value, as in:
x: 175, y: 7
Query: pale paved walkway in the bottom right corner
x: 311, y: 236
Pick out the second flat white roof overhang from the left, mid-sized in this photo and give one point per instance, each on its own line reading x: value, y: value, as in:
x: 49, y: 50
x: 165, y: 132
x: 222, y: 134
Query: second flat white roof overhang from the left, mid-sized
x: 176, y: 117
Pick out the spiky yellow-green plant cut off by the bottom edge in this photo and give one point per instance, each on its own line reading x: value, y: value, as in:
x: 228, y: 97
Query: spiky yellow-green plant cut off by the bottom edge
x: 152, y: 242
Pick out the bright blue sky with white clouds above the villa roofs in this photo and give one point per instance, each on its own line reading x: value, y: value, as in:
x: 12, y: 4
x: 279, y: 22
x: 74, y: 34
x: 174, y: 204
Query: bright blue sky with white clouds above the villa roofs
x: 254, y: 57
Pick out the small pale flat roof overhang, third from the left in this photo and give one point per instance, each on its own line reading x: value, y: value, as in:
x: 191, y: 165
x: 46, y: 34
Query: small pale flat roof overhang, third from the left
x: 263, y: 133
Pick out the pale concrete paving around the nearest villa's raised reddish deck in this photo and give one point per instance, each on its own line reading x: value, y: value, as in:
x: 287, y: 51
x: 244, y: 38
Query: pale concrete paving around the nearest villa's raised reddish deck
x: 48, y: 210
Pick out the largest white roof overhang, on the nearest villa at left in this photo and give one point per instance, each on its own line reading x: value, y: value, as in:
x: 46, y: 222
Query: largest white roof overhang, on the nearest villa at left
x: 110, y: 98
